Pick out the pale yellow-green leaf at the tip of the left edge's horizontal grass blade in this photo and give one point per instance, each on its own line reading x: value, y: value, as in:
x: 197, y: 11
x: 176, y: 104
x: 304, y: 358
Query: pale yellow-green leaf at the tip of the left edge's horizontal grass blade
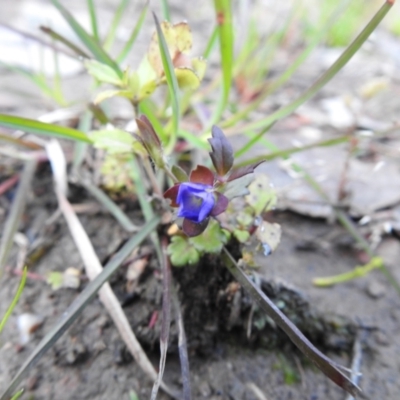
x: 114, y: 141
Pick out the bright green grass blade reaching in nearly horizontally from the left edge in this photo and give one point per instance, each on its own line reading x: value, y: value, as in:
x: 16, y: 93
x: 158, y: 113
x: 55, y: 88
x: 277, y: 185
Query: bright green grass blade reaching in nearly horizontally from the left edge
x: 42, y: 128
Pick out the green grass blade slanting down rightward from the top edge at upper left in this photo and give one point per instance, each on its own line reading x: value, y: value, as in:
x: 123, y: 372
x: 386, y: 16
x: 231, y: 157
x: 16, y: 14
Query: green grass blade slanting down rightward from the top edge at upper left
x: 91, y: 44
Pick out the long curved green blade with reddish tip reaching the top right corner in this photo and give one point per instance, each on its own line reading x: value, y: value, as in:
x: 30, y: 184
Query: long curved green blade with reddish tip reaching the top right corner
x: 328, y: 75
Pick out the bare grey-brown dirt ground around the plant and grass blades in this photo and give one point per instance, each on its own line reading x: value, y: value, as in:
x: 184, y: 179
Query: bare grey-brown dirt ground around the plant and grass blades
x: 91, y: 362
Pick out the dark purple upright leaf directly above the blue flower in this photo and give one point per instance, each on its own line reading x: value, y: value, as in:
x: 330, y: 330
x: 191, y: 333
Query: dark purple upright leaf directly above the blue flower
x: 222, y: 152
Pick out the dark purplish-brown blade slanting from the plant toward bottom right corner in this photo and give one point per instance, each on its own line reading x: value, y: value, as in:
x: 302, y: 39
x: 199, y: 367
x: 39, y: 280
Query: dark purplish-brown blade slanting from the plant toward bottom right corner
x: 324, y: 363
